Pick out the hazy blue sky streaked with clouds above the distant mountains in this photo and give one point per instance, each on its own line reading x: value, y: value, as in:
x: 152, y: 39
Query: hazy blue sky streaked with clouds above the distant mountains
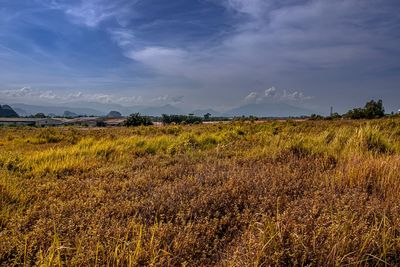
x: 198, y: 54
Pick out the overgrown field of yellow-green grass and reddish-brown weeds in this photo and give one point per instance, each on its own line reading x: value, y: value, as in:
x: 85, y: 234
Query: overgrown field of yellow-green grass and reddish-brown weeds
x: 233, y: 194
